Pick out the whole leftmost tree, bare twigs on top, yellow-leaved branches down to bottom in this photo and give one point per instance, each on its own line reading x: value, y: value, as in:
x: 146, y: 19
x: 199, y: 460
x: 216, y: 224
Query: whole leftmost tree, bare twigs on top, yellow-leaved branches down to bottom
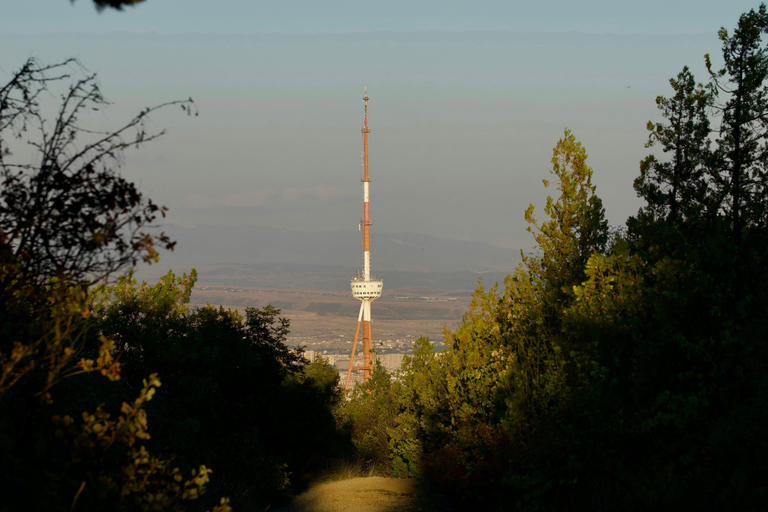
x: 68, y: 219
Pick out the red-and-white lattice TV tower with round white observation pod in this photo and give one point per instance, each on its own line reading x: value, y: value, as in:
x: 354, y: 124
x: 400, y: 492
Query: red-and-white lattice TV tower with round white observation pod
x: 366, y: 289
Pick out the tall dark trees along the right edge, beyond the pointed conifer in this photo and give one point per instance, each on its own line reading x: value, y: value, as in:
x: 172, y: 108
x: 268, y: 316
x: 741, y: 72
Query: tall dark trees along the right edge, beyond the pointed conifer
x: 676, y: 315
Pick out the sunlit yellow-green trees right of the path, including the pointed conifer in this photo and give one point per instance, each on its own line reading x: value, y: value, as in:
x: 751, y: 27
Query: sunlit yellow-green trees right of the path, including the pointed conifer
x: 513, y: 366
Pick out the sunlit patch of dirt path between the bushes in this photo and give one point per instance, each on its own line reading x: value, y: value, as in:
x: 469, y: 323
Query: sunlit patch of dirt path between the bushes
x: 374, y: 494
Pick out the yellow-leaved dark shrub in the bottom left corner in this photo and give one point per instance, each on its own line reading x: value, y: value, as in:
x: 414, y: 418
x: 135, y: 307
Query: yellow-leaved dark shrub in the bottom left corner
x: 56, y: 459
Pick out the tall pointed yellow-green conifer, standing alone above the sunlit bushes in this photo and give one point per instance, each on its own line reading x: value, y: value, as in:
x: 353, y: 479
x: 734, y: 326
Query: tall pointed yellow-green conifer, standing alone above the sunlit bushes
x: 540, y: 290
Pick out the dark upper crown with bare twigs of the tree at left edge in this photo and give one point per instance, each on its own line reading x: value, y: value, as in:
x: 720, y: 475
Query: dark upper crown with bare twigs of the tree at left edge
x: 69, y: 214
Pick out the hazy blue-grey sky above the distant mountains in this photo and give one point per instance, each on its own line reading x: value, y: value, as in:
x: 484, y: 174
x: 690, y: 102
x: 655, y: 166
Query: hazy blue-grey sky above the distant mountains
x: 467, y: 101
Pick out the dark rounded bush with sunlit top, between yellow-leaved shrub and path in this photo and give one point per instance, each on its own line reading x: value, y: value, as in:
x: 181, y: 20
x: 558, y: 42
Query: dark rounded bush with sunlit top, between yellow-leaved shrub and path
x: 234, y: 395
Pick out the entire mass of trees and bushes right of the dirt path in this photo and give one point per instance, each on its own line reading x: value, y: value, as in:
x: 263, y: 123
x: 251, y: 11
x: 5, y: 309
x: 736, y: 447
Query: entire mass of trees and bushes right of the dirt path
x: 618, y: 369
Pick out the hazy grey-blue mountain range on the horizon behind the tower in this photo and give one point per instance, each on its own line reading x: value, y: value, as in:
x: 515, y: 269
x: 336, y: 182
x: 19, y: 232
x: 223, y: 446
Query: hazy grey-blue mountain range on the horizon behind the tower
x: 278, y: 258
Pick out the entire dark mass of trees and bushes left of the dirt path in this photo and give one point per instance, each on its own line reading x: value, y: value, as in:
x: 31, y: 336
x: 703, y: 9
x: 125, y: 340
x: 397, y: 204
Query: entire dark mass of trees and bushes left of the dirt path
x: 114, y: 395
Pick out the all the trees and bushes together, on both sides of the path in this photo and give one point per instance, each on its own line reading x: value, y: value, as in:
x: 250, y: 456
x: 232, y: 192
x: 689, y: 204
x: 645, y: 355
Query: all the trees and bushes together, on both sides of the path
x: 618, y: 368
